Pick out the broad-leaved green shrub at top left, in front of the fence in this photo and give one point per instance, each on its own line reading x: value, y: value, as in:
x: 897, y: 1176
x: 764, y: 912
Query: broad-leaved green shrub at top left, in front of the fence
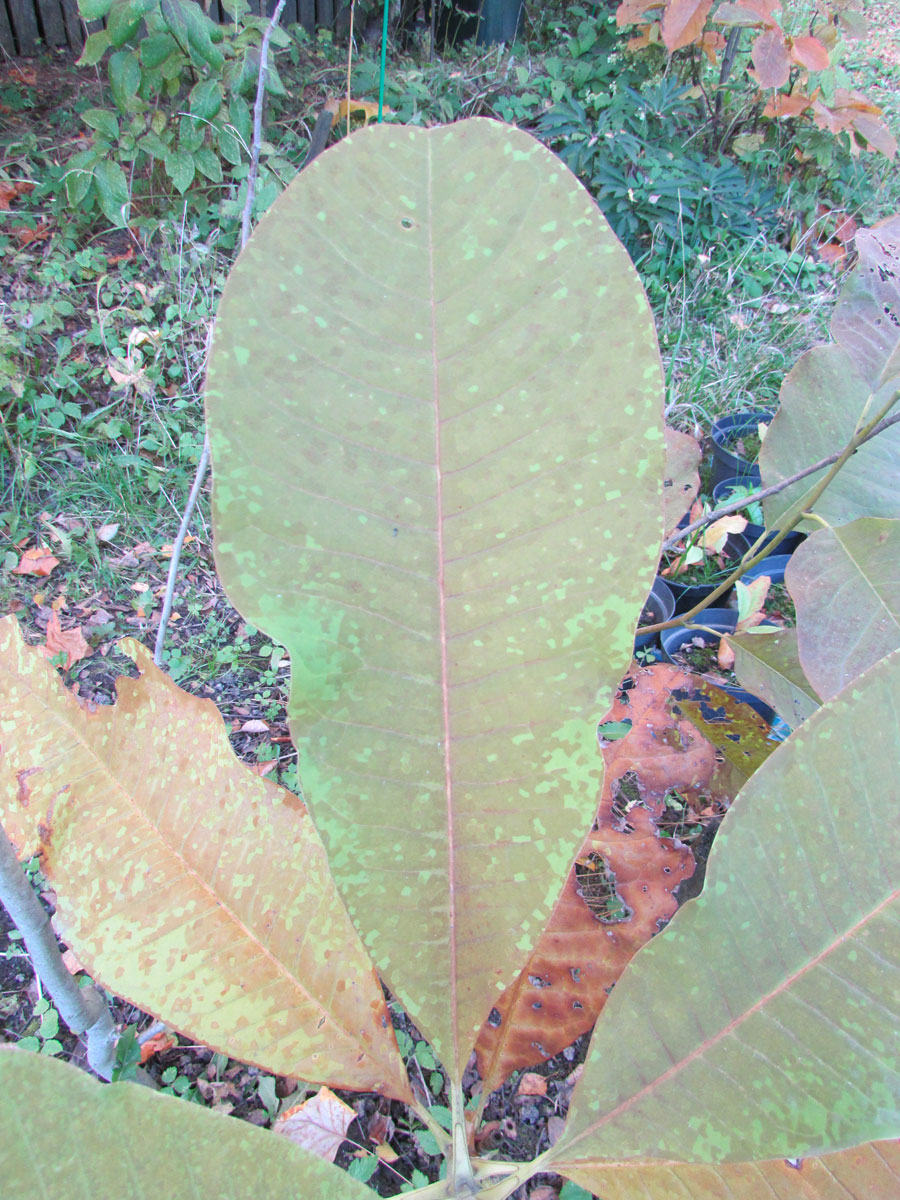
x: 181, y: 87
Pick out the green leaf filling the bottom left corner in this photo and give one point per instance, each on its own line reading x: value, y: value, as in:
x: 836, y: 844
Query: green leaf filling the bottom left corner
x: 69, y: 1138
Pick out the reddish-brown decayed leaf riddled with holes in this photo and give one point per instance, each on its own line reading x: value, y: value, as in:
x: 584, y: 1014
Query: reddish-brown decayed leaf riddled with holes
x: 580, y: 957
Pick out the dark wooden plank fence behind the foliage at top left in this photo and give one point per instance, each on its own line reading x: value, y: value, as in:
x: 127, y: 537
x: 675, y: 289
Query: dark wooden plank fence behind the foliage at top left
x: 28, y: 27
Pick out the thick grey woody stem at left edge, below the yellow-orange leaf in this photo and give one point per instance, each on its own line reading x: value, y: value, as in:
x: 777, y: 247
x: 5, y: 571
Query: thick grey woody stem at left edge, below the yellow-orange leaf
x: 83, y: 1010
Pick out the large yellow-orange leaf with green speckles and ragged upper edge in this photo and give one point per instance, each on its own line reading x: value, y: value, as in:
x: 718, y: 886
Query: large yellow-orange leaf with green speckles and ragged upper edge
x: 187, y: 884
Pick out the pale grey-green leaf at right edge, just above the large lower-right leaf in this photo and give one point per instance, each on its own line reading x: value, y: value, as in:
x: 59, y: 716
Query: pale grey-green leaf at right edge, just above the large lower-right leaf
x: 845, y: 584
